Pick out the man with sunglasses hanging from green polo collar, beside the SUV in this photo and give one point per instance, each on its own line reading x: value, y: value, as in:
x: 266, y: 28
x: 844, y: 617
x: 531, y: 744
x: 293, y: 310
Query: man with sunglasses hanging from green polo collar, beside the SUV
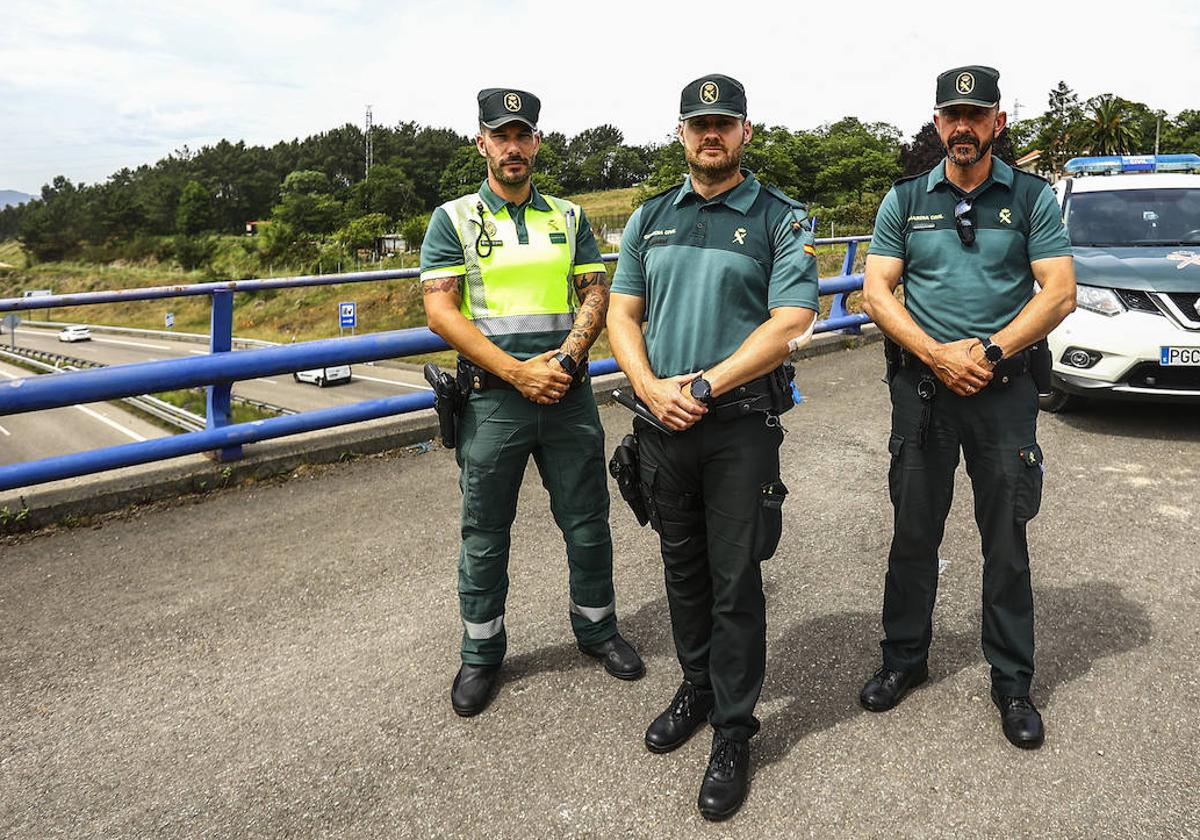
x: 971, y: 237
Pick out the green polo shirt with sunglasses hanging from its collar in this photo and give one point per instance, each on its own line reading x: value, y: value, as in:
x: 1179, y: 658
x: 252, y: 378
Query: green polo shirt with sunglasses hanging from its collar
x: 956, y: 291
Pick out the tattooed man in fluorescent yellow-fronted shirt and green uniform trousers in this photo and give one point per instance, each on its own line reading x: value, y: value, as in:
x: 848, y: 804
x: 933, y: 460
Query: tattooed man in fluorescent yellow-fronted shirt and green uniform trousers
x: 513, y: 280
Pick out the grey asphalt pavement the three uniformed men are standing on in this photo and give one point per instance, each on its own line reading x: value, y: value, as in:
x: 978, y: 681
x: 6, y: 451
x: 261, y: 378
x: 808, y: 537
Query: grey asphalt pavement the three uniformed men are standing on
x: 274, y: 662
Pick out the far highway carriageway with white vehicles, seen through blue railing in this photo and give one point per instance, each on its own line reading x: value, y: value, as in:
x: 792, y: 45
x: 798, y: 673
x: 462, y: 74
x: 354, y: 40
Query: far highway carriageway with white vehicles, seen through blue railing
x: 370, y: 382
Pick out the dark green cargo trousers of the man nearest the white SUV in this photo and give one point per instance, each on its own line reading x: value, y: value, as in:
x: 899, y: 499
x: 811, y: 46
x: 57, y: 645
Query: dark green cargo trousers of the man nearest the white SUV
x: 997, y: 431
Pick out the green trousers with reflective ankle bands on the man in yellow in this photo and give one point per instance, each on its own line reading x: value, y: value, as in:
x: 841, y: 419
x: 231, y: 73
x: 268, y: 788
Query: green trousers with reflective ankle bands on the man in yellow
x: 499, y: 433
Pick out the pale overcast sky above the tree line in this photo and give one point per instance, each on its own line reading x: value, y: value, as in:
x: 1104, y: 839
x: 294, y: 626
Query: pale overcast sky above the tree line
x: 88, y: 88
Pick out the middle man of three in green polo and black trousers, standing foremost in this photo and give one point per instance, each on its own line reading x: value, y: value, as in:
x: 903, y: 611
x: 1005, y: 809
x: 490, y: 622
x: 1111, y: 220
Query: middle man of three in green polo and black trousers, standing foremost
x: 723, y: 272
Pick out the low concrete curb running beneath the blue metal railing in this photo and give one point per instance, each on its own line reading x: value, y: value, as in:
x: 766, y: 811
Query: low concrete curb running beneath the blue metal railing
x: 75, y: 500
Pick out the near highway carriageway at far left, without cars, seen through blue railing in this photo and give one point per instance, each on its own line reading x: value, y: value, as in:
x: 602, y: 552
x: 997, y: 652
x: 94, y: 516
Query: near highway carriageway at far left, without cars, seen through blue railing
x: 61, y: 431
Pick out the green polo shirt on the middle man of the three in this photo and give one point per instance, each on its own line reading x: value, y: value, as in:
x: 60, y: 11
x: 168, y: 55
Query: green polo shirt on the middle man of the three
x: 711, y: 271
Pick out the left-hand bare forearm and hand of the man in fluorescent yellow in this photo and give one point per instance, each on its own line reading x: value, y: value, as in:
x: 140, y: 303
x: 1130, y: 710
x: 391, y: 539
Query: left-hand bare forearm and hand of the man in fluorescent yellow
x: 536, y: 379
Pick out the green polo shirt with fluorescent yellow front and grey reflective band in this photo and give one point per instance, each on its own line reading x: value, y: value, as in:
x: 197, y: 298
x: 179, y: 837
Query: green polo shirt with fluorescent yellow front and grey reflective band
x: 521, y: 297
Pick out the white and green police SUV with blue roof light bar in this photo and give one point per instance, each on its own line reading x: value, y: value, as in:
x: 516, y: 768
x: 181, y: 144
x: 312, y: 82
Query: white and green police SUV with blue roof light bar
x: 1136, y: 332
